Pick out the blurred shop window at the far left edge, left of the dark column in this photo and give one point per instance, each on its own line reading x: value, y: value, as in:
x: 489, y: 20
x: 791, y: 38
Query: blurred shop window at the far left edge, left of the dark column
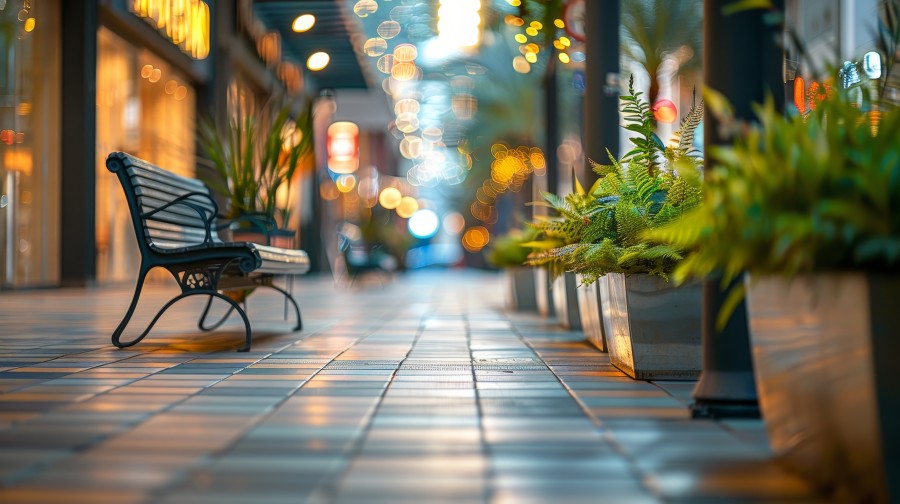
x: 29, y: 142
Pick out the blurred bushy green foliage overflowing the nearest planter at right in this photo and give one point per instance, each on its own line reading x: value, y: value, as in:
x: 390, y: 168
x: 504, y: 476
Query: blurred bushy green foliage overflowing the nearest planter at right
x: 798, y: 194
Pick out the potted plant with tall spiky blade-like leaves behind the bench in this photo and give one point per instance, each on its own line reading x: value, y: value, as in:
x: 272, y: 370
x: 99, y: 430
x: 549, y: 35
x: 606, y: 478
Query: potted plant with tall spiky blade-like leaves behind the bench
x: 255, y: 158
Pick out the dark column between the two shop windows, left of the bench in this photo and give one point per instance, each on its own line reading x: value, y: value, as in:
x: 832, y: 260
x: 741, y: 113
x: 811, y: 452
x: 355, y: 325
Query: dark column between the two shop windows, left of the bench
x: 78, y: 260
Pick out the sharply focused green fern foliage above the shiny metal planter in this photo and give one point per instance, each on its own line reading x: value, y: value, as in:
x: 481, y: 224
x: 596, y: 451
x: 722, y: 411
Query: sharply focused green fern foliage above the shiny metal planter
x: 602, y: 230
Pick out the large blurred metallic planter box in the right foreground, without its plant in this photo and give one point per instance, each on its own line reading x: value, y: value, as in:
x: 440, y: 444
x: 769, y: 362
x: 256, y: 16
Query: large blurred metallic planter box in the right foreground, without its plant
x: 824, y: 352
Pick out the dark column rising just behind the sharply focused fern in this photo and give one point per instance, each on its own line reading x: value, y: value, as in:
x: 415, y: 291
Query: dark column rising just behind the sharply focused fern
x: 601, y: 96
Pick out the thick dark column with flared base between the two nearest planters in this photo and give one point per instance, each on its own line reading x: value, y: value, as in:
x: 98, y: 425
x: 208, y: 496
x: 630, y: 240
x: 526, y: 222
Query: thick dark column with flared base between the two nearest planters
x: 742, y: 59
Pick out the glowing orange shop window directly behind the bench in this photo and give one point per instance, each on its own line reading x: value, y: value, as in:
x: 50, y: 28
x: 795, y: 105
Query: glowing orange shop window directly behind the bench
x: 145, y: 108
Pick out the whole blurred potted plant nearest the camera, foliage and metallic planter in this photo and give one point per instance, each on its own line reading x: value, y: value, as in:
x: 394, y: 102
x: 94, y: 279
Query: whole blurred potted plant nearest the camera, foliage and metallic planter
x: 809, y: 205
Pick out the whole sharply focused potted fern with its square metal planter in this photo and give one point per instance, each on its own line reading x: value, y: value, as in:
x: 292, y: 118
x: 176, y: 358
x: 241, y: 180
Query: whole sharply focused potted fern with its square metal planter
x: 652, y: 327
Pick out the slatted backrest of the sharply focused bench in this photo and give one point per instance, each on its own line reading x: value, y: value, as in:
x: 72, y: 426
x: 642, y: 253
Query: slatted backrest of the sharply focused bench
x: 147, y: 188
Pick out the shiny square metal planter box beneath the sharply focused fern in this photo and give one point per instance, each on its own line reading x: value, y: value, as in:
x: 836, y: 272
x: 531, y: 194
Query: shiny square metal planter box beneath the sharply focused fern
x: 652, y: 328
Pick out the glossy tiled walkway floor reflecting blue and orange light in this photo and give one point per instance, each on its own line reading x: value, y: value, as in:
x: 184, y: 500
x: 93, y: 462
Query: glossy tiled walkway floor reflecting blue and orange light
x: 423, y: 390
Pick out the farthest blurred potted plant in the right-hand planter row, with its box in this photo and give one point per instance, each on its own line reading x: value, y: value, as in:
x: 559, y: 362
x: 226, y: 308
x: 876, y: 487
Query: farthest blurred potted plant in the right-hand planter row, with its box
x: 508, y: 254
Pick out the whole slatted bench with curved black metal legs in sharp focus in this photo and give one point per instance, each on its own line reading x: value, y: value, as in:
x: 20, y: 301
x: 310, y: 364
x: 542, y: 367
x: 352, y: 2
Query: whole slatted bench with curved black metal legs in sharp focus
x: 176, y: 221
